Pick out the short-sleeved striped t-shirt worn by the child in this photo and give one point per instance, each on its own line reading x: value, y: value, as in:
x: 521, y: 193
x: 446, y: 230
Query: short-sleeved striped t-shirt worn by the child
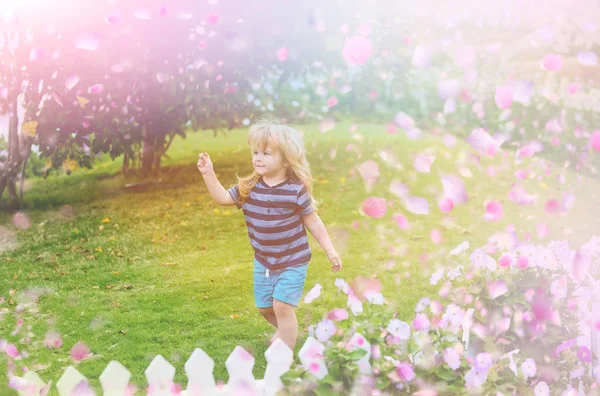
x: 274, y: 219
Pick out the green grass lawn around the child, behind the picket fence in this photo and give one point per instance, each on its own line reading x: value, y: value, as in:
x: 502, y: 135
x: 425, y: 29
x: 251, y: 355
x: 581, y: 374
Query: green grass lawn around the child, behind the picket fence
x: 134, y: 274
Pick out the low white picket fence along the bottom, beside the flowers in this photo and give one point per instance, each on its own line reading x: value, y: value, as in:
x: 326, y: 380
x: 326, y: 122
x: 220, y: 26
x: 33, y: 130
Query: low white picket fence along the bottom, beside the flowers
x: 199, y: 370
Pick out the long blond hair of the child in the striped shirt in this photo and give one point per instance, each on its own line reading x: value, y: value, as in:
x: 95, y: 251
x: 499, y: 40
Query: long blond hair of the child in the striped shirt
x: 289, y: 141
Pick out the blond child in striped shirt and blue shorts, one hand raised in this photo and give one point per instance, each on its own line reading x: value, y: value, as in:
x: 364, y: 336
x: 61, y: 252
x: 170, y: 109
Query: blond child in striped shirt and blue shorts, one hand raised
x: 278, y: 206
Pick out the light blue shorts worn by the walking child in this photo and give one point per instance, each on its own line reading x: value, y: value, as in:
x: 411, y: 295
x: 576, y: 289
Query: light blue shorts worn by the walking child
x: 285, y: 285
